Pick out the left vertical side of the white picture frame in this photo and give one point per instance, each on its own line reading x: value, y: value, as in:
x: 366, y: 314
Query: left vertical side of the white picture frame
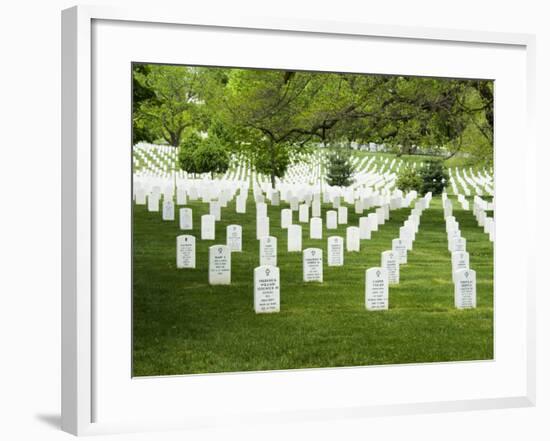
x: 75, y: 222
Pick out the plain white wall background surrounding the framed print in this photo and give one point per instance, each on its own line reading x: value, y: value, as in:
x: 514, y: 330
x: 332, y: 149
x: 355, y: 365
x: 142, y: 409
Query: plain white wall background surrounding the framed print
x: 30, y: 216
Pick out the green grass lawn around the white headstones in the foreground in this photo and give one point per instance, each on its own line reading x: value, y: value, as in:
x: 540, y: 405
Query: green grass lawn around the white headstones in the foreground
x: 182, y: 325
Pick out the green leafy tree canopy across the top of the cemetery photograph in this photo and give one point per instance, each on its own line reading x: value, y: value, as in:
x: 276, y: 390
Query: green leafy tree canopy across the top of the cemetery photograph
x: 267, y: 113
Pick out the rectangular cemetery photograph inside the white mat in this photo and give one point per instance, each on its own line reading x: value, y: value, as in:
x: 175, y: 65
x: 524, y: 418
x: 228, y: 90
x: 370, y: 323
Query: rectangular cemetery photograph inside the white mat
x: 287, y: 219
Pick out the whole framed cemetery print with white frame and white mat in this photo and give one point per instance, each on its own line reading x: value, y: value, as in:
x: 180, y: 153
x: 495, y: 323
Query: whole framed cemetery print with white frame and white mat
x: 270, y: 220
